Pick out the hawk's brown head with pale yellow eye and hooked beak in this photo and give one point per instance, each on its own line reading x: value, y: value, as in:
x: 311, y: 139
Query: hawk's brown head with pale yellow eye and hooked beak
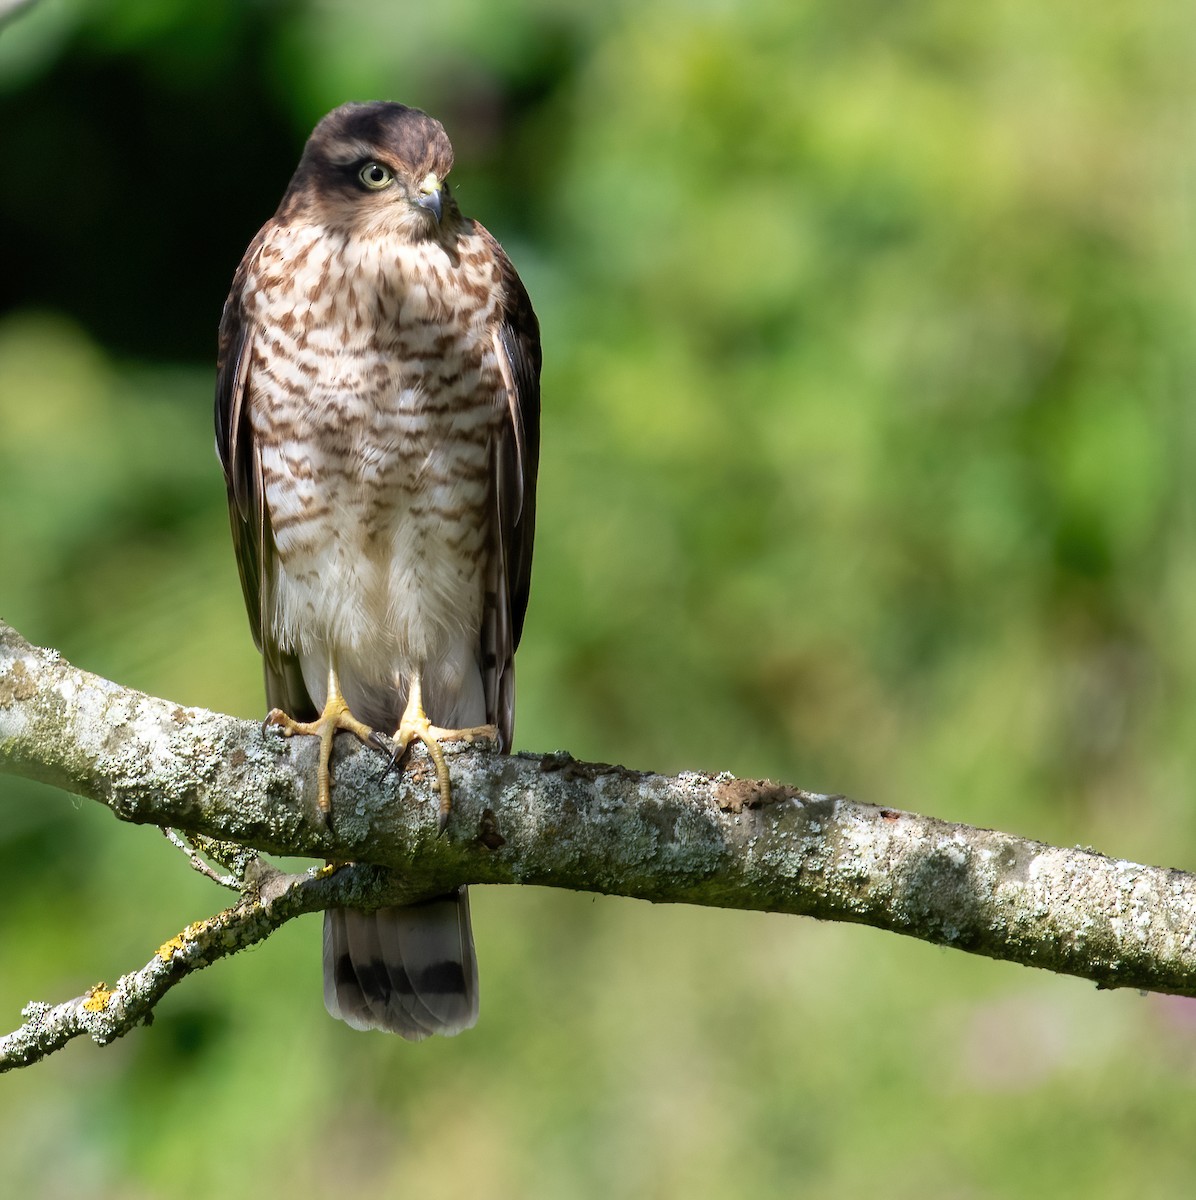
x: 376, y: 169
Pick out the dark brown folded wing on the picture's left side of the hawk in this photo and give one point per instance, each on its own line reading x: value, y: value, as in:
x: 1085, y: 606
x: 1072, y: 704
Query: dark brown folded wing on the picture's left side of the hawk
x: 238, y: 454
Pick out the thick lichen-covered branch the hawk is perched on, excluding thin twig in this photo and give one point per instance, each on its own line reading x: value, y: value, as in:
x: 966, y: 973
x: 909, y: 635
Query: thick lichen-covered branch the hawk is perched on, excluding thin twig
x: 551, y: 820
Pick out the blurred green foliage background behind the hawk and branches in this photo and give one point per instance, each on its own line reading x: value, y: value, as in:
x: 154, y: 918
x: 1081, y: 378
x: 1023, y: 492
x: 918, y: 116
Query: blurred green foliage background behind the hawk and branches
x: 868, y: 451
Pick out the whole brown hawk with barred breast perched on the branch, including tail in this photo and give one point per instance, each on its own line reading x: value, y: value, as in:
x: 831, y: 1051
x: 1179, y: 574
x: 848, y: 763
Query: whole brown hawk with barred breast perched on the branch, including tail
x: 377, y: 417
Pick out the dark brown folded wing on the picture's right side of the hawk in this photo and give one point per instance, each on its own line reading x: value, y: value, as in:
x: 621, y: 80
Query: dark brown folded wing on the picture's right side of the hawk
x: 518, y: 459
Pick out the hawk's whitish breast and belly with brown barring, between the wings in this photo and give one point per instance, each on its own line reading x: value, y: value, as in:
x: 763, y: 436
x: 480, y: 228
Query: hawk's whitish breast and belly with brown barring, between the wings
x: 375, y: 398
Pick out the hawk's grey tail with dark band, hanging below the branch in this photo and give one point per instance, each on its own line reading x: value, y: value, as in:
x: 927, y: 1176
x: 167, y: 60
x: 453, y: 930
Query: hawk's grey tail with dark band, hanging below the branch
x: 410, y: 970
